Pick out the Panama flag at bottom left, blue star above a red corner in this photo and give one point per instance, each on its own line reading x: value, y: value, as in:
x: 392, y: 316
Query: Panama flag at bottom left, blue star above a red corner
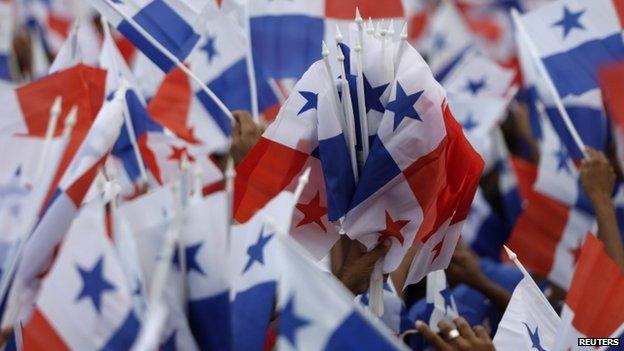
x: 85, y: 301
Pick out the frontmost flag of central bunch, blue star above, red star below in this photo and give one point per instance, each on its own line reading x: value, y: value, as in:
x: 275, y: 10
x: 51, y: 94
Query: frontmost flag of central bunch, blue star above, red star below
x: 418, y: 142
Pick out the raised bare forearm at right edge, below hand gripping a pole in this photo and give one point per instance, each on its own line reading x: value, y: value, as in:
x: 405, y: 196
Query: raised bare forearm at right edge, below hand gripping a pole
x: 608, y: 231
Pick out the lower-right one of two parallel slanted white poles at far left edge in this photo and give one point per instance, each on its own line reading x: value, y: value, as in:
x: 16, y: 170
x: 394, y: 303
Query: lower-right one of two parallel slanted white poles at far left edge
x: 44, y: 181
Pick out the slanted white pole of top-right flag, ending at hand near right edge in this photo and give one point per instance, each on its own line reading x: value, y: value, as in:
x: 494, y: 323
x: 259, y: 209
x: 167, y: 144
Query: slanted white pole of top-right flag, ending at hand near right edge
x: 532, y: 50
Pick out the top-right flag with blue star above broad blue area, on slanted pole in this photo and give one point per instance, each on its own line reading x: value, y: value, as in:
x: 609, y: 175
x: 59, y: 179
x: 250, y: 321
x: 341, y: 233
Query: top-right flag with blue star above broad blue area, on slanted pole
x: 581, y: 36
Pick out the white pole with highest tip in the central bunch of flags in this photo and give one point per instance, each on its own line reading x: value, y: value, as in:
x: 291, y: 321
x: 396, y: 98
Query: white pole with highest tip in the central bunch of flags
x: 361, y: 96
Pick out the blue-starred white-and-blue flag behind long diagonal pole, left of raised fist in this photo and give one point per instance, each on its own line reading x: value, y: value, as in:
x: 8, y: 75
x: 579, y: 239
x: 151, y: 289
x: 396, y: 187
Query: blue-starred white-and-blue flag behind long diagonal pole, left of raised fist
x: 220, y: 62
